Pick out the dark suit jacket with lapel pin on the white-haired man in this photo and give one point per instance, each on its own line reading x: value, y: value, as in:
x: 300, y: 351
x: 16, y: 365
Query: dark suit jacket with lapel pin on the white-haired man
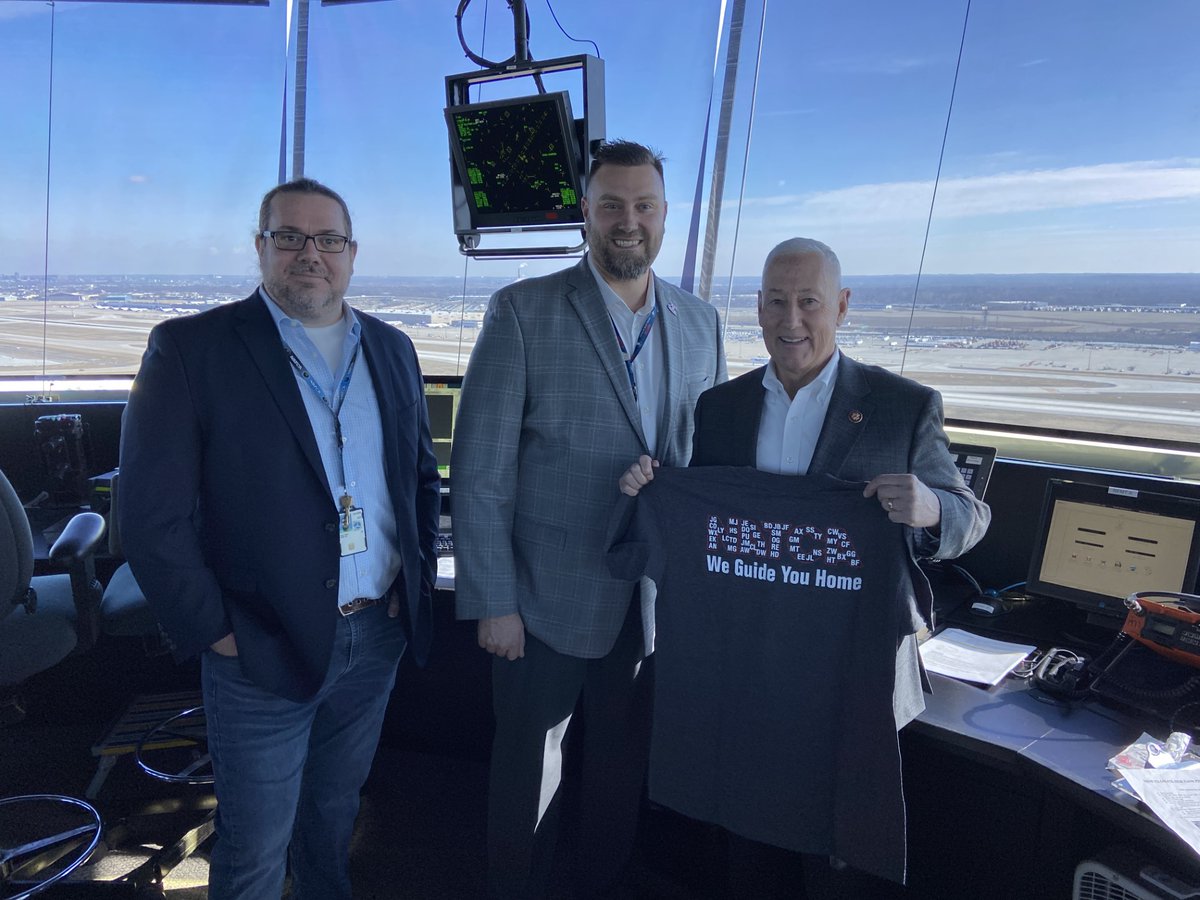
x: 878, y: 424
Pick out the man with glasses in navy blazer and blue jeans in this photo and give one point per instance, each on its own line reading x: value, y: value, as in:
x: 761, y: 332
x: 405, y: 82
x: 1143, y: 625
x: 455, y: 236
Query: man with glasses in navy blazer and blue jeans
x: 279, y: 508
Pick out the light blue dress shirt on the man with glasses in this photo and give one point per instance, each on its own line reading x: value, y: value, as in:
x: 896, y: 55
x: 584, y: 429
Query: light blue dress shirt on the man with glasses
x: 371, y: 573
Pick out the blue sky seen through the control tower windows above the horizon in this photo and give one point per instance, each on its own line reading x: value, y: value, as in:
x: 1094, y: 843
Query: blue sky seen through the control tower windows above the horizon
x: 1075, y: 143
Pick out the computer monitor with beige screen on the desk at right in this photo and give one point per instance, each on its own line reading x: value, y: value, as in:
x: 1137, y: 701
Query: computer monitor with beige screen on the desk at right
x: 1097, y: 544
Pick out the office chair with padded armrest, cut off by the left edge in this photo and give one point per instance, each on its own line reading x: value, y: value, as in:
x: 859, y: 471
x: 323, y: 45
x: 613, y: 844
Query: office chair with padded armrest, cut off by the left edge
x: 62, y: 613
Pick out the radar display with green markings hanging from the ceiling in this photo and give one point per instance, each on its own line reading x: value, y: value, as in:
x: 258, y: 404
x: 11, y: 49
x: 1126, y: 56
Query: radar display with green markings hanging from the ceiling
x: 518, y: 161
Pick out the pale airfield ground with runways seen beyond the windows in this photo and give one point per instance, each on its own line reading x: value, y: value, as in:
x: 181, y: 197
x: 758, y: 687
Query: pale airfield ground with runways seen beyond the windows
x: 1121, y: 389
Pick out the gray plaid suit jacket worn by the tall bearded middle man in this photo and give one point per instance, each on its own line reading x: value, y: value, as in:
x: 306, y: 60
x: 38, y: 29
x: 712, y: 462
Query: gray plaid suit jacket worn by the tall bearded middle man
x: 547, y: 425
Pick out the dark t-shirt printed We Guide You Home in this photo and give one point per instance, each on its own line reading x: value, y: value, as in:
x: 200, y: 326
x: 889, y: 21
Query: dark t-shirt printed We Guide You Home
x: 781, y: 604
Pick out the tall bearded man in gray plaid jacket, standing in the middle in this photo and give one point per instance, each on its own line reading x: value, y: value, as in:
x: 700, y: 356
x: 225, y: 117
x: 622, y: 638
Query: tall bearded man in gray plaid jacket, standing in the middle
x: 574, y: 375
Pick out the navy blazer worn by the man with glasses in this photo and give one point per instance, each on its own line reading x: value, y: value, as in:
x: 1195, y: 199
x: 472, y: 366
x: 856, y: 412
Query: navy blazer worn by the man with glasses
x: 225, y: 511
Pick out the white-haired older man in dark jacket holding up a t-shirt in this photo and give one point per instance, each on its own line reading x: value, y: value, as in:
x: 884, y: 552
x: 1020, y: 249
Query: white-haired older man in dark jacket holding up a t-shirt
x: 815, y: 411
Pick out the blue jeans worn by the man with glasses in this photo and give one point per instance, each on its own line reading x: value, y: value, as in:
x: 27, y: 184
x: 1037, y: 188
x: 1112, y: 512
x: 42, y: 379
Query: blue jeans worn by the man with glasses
x: 289, y: 775
